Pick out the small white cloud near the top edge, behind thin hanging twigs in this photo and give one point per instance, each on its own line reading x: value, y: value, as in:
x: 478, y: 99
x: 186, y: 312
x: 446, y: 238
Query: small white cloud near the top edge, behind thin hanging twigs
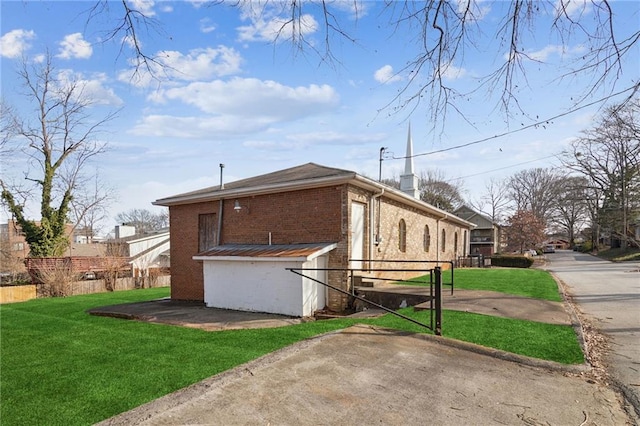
x: 275, y: 28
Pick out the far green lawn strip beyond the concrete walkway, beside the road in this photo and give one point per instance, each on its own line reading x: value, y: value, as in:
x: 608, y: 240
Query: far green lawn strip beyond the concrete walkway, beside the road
x: 517, y: 281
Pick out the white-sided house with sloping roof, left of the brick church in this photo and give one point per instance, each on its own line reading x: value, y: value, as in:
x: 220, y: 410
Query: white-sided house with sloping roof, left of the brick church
x: 145, y: 252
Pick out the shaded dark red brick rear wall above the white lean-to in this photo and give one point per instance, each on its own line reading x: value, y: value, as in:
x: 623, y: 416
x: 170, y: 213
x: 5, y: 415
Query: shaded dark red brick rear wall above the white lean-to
x: 293, y: 217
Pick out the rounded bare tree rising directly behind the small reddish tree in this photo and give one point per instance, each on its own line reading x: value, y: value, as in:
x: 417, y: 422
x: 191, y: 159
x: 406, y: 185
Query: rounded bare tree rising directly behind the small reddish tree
x: 535, y: 190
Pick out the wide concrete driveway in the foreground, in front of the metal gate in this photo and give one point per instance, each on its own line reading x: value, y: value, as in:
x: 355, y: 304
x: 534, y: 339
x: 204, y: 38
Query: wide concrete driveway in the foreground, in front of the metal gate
x: 365, y: 376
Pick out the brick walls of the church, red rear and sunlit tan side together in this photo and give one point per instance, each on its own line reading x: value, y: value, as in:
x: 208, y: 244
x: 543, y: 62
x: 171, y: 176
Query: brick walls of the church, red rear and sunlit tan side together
x: 305, y: 216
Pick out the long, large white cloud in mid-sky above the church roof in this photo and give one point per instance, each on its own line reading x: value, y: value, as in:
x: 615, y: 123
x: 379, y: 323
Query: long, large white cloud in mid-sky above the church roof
x: 256, y: 98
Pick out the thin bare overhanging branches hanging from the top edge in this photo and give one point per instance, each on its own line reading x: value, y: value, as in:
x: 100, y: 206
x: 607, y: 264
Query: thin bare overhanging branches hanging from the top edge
x: 443, y: 31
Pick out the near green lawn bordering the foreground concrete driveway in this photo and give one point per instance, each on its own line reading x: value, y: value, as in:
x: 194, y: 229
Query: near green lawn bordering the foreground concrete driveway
x: 59, y: 365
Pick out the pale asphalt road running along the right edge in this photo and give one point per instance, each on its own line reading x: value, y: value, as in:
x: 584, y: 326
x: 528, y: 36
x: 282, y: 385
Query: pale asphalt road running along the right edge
x: 608, y: 294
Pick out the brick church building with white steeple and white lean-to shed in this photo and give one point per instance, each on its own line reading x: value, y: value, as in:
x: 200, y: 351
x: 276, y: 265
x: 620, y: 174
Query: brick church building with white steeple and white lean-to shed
x: 231, y: 244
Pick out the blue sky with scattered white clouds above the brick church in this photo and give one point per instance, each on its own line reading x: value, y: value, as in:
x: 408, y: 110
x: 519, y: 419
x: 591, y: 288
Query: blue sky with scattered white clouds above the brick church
x: 234, y: 96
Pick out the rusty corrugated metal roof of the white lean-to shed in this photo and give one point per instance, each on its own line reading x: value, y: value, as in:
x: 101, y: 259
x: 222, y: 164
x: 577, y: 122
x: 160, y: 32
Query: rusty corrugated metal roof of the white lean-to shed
x: 265, y: 250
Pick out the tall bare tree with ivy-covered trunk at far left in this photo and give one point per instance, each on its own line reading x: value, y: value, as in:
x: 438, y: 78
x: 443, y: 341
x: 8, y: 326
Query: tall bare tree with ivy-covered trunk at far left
x: 57, y: 143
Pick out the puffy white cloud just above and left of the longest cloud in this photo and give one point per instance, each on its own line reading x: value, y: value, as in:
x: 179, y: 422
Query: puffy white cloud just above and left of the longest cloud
x: 198, y: 64
